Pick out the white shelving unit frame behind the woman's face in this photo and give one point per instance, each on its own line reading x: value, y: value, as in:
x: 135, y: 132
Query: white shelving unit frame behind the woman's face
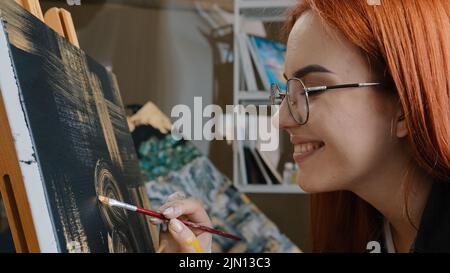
x: 265, y: 11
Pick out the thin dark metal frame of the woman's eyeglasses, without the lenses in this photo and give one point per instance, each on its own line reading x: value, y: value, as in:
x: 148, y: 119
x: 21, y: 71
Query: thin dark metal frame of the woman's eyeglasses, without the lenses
x: 277, y: 96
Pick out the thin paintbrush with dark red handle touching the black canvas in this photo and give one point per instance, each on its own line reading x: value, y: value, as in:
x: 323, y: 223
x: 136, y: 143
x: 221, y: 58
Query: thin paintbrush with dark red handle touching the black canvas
x: 115, y: 203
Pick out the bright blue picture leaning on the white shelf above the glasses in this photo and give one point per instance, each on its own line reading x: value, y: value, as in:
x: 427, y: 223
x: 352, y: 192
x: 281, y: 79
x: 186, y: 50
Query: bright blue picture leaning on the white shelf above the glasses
x: 268, y: 57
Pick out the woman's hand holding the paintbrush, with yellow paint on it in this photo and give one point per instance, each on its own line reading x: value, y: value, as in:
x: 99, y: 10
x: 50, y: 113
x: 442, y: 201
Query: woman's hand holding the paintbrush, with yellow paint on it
x: 177, y: 237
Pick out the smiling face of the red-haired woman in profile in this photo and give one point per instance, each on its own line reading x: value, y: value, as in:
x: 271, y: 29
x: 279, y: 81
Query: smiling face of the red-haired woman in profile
x: 351, y: 130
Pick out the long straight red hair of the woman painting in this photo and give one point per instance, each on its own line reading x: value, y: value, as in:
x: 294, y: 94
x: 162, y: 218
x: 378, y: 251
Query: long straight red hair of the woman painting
x: 412, y: 40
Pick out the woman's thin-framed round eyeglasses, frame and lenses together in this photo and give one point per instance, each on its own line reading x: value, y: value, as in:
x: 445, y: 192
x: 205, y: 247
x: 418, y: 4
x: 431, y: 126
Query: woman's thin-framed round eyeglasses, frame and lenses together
x: 298, y: 96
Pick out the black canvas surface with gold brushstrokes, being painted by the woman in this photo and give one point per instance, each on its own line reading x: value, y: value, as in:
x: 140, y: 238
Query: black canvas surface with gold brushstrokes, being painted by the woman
x: 81, y: 141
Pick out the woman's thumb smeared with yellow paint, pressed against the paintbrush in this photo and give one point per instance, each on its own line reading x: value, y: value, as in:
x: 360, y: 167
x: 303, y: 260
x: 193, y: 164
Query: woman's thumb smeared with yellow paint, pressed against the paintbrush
x: 185, y: 238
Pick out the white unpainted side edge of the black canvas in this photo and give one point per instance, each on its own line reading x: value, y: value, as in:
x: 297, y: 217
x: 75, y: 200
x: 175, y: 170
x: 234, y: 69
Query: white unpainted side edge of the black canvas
x: 29, y: 166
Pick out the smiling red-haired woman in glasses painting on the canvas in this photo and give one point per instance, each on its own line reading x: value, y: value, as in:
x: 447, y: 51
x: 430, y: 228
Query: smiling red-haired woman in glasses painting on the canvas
x: 367, y: 107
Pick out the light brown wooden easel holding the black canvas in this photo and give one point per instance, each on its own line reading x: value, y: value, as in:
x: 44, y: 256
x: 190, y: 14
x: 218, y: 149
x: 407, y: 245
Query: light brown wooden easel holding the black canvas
x: 12, y: 186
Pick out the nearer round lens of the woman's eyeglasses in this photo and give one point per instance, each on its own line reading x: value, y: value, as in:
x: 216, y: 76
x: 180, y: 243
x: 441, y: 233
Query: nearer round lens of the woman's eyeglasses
x: 297, y: 100
